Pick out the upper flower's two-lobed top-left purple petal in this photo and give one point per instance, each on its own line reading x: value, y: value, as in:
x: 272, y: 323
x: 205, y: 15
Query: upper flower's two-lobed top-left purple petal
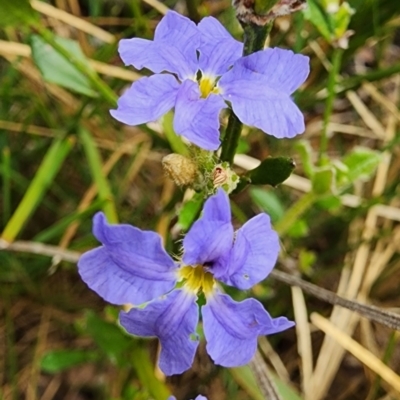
x: 174, y: 48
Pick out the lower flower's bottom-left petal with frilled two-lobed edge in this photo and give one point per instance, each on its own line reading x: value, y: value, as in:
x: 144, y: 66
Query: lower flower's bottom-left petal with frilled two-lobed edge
x: 173, y: 319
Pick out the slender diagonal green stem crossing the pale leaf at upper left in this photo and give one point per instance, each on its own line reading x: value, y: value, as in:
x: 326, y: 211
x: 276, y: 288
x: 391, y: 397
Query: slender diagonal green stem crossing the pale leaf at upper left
x: 106, y: 92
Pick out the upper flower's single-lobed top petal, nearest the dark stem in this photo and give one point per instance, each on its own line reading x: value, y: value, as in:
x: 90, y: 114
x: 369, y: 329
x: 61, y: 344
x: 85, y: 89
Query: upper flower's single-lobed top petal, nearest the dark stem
x: 218, y: 50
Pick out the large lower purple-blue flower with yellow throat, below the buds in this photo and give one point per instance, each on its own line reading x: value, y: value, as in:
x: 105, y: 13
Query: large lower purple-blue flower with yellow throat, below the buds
x: 131, y: 266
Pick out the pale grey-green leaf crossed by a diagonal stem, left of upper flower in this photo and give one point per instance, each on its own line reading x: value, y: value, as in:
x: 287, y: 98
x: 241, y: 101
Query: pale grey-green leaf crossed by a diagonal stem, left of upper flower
x: 57, y: 69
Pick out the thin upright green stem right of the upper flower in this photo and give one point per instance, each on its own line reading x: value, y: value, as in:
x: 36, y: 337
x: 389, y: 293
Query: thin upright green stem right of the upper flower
x: 333, y: 73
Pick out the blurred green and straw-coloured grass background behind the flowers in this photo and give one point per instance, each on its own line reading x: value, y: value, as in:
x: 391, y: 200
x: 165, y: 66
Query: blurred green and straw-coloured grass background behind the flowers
x: 62, y: 157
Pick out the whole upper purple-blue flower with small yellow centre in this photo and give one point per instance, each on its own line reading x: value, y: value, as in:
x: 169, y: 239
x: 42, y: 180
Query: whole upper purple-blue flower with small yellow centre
x: 205, y: 71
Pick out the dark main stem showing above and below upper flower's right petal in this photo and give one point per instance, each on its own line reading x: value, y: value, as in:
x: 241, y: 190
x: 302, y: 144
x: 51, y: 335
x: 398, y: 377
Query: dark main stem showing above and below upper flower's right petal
x: 254, y: 40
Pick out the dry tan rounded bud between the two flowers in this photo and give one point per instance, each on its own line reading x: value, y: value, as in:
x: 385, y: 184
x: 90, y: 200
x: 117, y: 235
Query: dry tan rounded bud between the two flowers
x: 182, y: 170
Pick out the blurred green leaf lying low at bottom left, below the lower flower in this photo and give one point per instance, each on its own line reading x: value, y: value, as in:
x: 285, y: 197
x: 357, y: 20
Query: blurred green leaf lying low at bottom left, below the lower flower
x: 60, y: 360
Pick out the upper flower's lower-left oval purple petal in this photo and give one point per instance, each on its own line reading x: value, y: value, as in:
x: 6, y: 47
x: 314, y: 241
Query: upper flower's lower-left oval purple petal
x: 147, y: 100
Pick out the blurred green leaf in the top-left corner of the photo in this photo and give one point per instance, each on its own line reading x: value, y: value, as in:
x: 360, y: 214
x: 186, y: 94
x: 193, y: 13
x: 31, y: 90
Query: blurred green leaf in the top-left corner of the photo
x: 17, y: 12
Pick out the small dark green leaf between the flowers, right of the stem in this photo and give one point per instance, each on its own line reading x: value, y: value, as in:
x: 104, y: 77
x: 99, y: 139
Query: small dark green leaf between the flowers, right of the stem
x: 272, y: 171
